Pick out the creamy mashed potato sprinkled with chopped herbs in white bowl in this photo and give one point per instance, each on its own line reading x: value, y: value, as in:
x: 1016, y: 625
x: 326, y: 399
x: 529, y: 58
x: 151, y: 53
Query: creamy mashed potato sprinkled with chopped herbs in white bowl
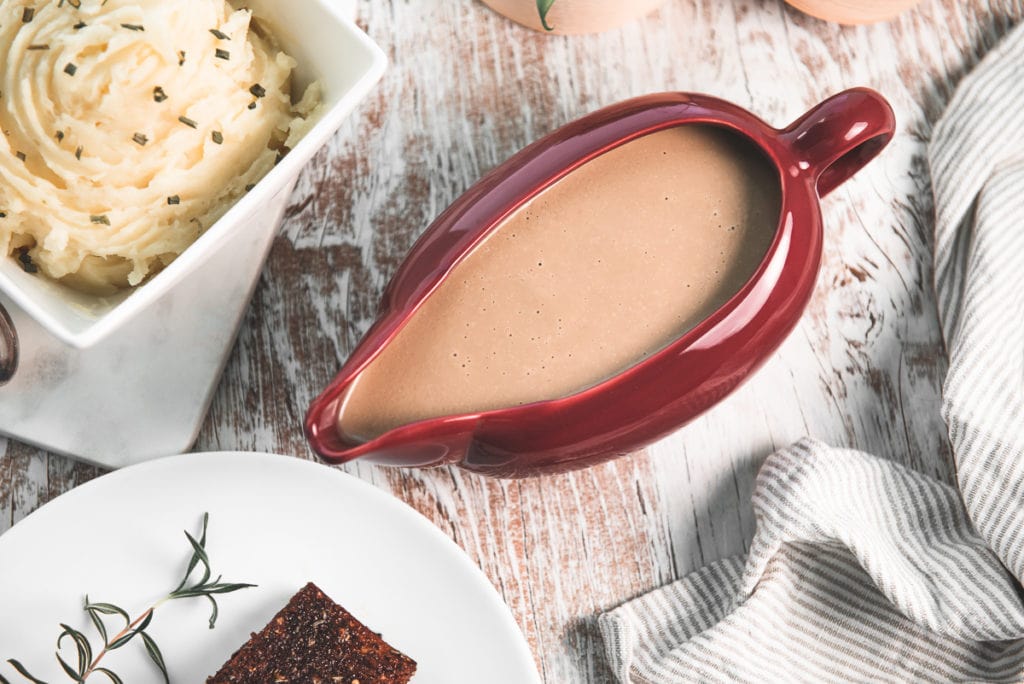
x: 130, y: 127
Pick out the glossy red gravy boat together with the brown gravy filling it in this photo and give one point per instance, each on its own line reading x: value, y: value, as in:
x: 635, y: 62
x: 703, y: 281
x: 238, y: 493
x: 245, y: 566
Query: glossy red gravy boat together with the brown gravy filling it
x: 508, y: 392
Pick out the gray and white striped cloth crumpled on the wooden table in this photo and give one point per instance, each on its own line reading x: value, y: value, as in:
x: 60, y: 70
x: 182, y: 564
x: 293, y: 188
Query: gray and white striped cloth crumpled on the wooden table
x: 862, y: 570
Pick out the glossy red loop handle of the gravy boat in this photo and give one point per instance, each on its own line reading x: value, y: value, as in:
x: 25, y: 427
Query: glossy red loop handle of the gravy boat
x: 839, y: 137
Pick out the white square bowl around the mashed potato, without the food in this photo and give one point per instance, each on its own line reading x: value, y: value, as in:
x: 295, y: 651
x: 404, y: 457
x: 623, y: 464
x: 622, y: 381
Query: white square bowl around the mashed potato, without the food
x: 330, y: 49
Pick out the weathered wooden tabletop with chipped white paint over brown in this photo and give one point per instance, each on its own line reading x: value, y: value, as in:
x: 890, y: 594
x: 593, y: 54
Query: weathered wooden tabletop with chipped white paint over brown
x: 468, y: 89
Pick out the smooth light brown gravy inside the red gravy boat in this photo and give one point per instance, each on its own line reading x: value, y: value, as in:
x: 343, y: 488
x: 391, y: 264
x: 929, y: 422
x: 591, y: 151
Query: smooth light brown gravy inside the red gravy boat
x: 607, y: 267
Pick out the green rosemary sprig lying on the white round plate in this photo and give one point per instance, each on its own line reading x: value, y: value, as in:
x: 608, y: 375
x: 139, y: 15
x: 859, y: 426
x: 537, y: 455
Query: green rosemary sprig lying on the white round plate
x: 89, y: 661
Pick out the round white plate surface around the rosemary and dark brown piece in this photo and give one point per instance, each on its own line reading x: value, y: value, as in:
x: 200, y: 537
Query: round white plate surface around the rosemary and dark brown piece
x: 276, y: 522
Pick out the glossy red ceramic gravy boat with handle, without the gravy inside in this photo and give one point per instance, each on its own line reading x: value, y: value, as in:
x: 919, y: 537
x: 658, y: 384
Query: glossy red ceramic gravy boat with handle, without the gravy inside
x: 669, y: 389
